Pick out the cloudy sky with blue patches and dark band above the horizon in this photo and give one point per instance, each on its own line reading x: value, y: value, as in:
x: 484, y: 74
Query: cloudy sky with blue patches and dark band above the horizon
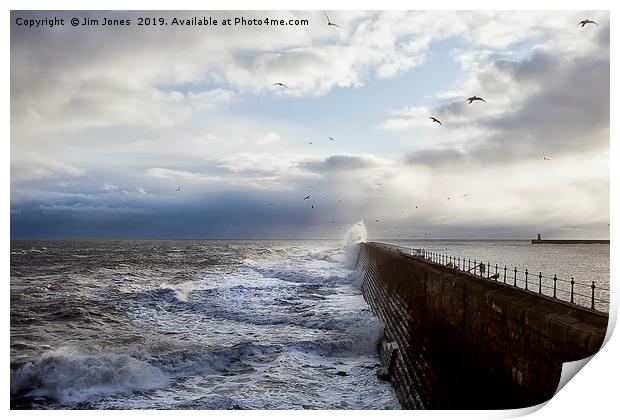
x: 108, y: 122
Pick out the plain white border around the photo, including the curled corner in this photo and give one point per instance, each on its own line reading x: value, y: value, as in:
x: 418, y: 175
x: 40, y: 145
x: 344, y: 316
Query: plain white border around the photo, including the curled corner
x: 590, y: 395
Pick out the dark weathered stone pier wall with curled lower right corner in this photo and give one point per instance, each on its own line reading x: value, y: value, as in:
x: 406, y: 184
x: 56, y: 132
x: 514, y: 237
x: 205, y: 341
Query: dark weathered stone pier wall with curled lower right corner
x: 456, y: 341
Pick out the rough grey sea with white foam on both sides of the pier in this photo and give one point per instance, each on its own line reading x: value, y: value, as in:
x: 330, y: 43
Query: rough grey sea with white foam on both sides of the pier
x: 214, y: 324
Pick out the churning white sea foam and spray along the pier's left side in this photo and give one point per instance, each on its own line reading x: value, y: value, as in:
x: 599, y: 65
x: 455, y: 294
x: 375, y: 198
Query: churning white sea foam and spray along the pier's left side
x: 272, y: 329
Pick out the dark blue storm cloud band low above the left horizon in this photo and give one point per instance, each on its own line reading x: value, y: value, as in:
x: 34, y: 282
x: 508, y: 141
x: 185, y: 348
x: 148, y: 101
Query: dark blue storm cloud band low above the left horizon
x: 225, y: 215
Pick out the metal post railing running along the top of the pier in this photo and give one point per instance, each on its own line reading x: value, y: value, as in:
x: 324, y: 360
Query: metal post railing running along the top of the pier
x: 587, y: 295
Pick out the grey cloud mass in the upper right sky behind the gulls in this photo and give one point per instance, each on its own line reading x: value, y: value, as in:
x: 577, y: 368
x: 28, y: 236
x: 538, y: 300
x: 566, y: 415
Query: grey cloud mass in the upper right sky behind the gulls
x: 567, y: 113
